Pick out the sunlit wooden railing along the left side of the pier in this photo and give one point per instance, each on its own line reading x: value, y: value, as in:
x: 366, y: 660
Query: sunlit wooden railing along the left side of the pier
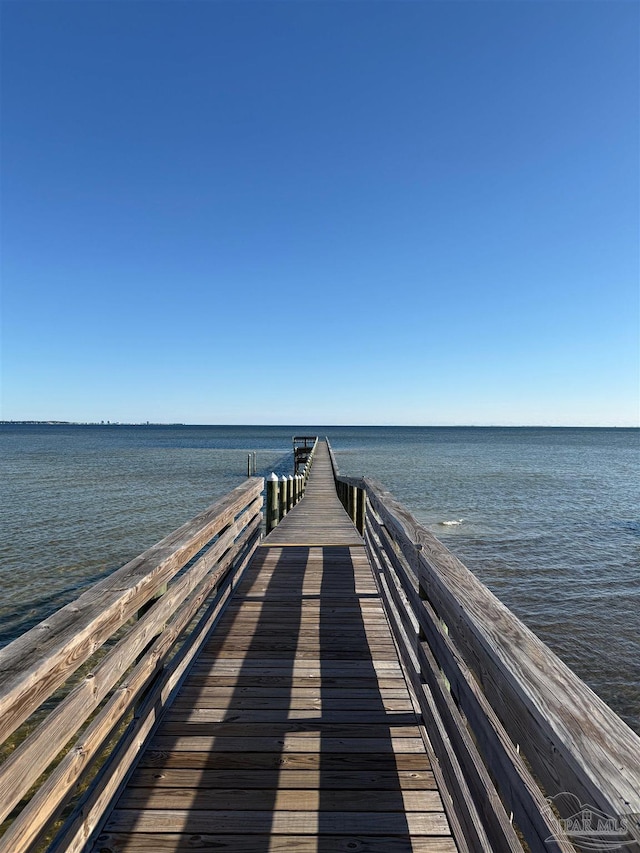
x: 149, y: 619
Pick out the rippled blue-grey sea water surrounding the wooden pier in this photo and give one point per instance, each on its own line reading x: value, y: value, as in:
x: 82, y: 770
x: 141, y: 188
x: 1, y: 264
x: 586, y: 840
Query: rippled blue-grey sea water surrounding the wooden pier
x: 547, y: 518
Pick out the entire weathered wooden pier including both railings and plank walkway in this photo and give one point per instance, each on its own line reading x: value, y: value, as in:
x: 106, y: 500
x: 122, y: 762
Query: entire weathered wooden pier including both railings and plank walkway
x: 344, y: 684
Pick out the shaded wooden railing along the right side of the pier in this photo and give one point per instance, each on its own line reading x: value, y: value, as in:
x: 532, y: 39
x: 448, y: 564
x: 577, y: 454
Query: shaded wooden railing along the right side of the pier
x: 528, y: 752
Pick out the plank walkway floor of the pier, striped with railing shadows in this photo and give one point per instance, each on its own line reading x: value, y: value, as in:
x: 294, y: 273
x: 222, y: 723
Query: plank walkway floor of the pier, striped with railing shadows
x: 294, y: 729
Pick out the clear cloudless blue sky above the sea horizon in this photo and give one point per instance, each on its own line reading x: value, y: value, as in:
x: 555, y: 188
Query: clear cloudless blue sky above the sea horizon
x: 335, y: 212
